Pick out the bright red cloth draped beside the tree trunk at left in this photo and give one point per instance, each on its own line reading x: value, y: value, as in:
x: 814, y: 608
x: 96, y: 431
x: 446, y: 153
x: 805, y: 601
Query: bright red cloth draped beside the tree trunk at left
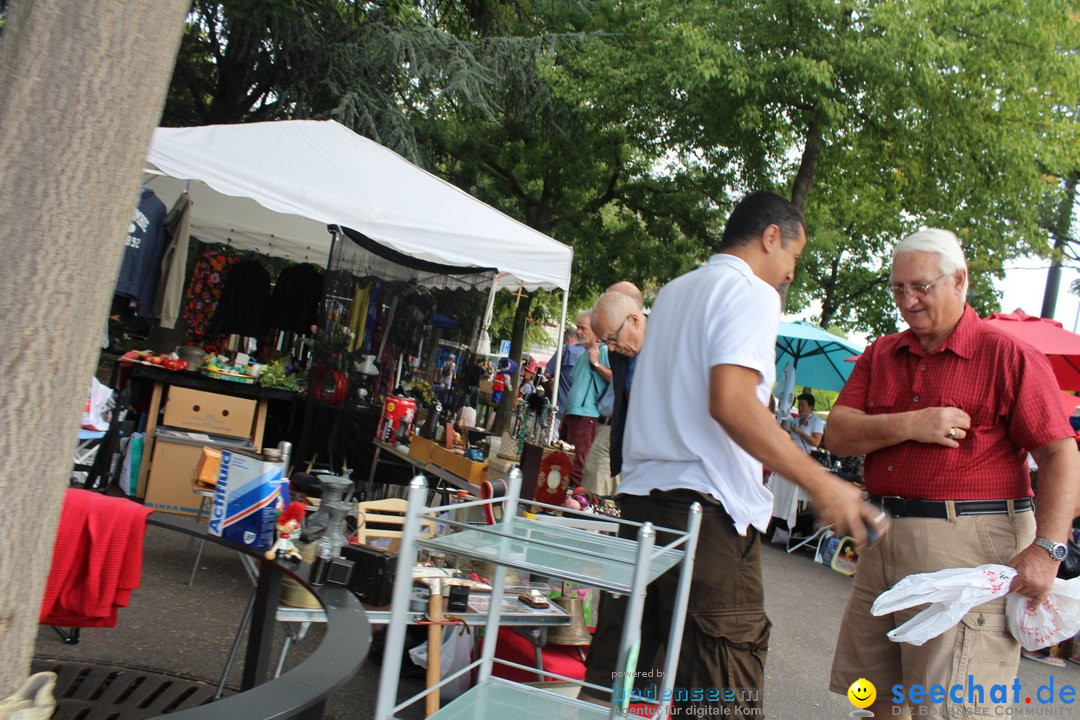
x: 98, y: 561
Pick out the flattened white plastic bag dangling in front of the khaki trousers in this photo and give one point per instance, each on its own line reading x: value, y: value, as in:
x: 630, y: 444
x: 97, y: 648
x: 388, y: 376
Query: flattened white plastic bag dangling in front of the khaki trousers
x: 952, y: 594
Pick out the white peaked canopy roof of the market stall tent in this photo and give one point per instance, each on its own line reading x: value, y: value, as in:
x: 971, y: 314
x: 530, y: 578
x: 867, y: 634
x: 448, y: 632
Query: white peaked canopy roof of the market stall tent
x: 276, y: 186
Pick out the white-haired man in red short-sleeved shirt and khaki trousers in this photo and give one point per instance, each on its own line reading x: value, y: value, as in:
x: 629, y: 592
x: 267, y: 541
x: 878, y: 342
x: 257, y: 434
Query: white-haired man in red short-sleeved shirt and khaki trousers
x: 947, y: 414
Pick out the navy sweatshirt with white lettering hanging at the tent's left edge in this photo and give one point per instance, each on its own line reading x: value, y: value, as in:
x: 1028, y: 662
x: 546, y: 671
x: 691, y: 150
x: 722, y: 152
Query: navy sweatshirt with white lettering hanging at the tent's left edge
x: 144, y: 247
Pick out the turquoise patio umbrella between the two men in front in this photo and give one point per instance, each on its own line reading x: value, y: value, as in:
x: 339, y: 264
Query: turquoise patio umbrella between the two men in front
x: 817, y: 356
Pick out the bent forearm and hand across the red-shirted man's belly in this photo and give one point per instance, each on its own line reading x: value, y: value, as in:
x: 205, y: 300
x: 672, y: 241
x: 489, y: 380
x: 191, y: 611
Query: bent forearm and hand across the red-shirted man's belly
x: 853, y: 432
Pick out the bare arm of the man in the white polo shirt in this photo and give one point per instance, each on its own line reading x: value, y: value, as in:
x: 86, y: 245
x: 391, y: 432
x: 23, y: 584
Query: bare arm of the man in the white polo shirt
x: 735, y: 405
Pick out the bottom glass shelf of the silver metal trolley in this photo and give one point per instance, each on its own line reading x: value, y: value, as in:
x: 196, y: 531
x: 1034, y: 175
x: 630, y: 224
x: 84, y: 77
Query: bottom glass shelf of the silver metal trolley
x: 503, y: 700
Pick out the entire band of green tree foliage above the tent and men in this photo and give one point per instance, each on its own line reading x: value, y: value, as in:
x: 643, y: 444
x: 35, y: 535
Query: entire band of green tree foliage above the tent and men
x: 629, y: 128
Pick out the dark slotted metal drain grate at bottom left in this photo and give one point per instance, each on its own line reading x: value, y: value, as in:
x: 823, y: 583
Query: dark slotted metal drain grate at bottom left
x: 86, y: 691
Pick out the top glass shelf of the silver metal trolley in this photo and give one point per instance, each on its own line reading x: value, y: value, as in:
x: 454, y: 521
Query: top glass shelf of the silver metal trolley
x: 575, y: 555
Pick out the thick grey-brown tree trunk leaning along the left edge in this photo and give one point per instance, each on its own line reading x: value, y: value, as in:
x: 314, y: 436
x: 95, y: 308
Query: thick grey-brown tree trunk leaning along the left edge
x: 83, y: 84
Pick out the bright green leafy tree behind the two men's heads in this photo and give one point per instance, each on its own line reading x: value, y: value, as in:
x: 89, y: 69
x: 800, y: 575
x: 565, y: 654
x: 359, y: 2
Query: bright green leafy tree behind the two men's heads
x: 879, y: 115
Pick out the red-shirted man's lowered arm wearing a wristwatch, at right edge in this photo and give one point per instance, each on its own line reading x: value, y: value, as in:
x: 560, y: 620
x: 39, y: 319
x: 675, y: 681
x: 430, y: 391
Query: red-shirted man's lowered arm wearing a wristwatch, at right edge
x: 1057, y: 506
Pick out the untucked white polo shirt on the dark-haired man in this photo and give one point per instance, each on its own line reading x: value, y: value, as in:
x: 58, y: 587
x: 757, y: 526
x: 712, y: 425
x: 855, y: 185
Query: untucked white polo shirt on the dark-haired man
x: 719, y: 315
